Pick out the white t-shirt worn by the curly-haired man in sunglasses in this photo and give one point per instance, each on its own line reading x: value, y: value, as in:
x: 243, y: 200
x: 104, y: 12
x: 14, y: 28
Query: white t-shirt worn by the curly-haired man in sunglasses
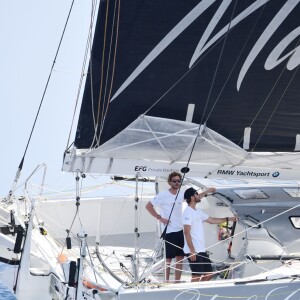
x: 164, y: 201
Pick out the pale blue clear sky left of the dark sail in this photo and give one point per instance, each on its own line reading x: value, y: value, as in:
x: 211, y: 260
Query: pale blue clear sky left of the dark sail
x: 30, y: 32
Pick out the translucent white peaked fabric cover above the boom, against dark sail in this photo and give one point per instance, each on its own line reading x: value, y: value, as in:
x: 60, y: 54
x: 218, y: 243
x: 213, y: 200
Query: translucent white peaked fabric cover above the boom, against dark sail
x: 170, y: 140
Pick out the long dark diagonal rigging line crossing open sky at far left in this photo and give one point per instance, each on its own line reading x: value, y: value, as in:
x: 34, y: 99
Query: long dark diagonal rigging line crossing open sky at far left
x: 39, y: 109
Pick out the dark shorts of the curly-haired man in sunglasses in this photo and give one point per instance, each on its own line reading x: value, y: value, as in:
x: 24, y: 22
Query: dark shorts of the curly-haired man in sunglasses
x: 174, y: 242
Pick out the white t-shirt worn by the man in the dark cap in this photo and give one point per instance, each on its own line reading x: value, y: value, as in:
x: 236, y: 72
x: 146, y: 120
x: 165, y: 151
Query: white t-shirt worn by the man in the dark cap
x: 195, y: 218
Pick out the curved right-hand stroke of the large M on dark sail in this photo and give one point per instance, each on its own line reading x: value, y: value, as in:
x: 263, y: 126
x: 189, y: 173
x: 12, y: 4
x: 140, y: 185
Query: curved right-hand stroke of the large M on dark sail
x: 266, y: 35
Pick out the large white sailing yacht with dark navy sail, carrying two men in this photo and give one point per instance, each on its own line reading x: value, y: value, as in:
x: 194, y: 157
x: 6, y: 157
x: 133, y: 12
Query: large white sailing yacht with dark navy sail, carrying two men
x: 203, y: 87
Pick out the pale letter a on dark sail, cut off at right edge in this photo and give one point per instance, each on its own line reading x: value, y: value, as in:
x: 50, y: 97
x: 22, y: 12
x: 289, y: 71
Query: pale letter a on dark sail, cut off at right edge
x: 273, y: 59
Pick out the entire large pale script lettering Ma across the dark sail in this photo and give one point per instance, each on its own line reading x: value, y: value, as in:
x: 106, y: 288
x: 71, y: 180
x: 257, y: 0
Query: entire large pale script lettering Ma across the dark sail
x: 272, y: 61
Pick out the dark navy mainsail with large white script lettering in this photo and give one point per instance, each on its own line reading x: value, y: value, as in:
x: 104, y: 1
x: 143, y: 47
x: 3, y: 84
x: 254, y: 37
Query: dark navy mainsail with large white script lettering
x: 237, y: 61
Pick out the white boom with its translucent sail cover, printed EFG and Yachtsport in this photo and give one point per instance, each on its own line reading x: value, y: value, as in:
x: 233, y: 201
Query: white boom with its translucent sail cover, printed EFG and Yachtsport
x: 157, y: 146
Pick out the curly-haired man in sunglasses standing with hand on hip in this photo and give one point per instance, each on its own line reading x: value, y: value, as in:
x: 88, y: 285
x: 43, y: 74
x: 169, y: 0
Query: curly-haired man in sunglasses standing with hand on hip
x: 172, y: 218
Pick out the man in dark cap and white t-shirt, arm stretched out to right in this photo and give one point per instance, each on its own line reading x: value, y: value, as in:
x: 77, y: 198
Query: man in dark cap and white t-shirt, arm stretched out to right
x: 194, y: 240
